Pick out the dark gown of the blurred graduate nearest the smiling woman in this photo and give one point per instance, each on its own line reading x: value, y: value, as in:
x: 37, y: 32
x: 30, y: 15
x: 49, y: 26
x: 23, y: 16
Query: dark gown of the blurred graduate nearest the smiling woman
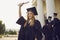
x: 47, y: 30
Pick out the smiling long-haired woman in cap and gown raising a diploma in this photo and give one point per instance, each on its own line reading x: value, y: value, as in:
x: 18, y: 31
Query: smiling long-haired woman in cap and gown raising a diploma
x: 30, y: 28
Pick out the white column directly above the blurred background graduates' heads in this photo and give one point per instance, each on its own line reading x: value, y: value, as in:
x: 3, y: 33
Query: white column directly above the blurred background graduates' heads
x: 50, y: 7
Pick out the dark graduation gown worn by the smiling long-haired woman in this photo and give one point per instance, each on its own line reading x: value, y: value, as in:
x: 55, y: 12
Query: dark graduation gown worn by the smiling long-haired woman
x: 29, y: 33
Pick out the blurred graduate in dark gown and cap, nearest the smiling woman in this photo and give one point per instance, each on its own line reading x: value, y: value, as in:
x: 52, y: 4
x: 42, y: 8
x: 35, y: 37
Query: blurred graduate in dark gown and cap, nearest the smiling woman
x: 47, y: 29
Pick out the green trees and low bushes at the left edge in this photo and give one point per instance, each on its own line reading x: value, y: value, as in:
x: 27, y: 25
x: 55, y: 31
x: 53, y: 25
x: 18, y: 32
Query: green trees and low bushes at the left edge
x: 2, y: 30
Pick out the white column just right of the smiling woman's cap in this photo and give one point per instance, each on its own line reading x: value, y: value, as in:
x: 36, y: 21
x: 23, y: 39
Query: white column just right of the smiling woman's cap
x: 40, y: 11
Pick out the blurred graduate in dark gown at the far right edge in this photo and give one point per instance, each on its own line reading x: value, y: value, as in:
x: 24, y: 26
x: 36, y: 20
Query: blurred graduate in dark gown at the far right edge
x: 56, y: 24
